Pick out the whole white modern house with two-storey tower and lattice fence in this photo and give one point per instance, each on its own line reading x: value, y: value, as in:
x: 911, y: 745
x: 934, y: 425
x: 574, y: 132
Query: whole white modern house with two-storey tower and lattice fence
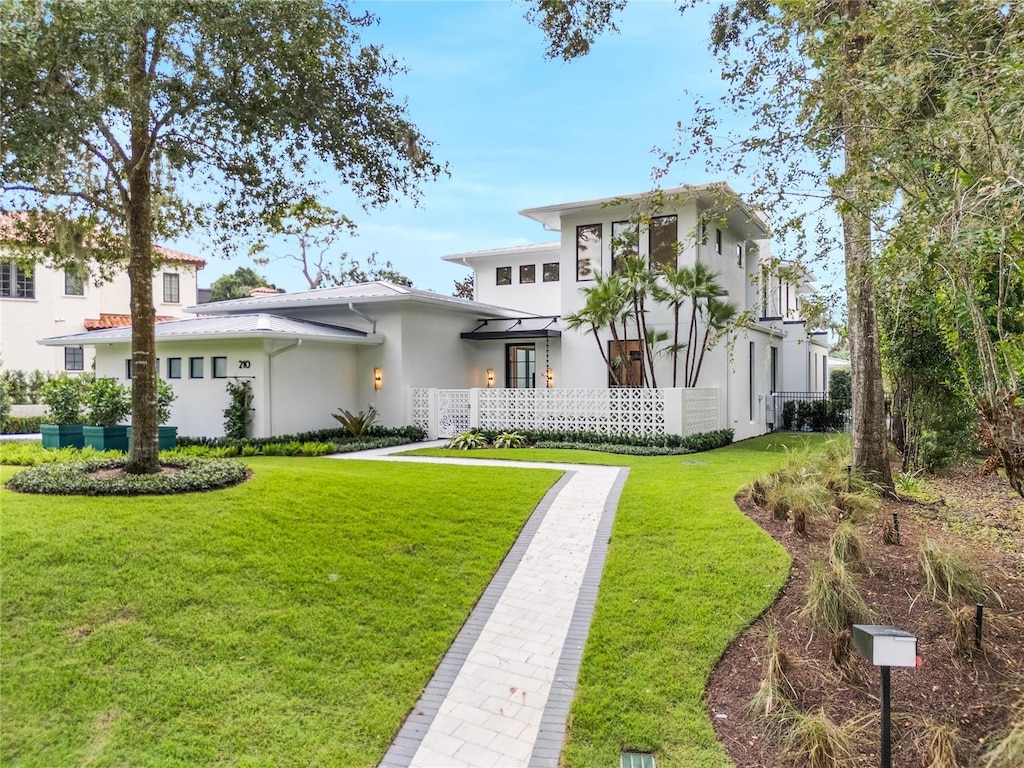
x: 507, y: 360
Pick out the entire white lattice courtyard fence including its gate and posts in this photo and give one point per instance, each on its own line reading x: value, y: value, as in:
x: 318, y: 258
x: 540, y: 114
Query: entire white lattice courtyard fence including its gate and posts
x: 646, y: 412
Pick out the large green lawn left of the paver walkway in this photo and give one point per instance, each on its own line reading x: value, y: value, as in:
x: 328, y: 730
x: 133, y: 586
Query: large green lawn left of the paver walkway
x: 291, y: 621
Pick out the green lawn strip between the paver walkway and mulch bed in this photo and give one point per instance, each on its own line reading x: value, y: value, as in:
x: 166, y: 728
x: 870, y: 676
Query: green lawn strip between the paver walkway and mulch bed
x: 687, y: 572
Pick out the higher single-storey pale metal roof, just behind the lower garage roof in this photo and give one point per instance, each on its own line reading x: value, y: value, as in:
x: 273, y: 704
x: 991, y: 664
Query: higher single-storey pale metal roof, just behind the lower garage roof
x: 364, y: 293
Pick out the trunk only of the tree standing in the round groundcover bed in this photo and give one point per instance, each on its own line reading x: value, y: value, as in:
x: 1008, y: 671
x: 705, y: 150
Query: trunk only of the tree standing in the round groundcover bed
x: 144, y: 455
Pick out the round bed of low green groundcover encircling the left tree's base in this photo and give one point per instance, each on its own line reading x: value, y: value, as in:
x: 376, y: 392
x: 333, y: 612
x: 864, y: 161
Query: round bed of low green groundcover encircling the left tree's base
x: 81, y: 479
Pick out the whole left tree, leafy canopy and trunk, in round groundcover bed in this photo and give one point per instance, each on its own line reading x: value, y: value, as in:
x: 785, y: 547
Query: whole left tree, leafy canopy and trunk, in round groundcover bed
x: 122, y: 122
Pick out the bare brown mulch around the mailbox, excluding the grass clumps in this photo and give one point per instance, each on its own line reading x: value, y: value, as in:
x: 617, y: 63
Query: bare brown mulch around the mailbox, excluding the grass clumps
x: 971, y: 693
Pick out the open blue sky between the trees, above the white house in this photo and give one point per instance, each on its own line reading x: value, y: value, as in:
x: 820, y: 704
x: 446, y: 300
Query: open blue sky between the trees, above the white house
x: 518, y: 131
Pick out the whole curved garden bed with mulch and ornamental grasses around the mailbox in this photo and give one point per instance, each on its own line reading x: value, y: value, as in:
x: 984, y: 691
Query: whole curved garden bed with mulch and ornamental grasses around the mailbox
x: 959, y: 702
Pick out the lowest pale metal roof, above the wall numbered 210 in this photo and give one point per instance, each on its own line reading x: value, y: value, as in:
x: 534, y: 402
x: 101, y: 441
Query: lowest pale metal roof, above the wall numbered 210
x: 236, y: 326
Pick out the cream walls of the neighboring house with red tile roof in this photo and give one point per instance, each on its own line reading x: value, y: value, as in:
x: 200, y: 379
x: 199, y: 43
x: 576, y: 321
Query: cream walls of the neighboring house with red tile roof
x: 39, y: 303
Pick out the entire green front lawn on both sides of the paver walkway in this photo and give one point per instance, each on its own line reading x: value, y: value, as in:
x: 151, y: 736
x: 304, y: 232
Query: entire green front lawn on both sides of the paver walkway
x: 295, y: 619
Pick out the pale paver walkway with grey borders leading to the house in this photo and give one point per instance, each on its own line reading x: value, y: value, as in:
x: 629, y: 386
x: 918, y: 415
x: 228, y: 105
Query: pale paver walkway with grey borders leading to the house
x: 501, y: 696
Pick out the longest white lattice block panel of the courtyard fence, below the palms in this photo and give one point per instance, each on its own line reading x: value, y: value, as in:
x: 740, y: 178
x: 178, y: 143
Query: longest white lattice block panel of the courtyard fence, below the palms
x: 605, y: 411
